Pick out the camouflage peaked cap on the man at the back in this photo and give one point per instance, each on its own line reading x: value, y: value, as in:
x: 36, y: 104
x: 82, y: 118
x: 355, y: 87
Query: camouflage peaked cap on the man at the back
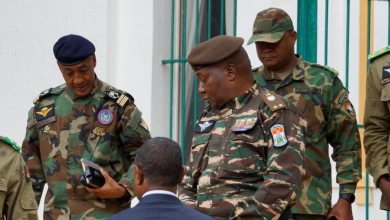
x: 270, y: 25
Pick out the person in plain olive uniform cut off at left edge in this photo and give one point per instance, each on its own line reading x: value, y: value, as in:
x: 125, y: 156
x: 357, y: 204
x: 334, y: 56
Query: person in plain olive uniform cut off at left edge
x: 17, y: 199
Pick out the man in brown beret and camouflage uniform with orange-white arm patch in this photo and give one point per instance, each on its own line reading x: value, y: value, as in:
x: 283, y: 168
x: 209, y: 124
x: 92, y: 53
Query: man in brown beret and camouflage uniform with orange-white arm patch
x: 247, y: 155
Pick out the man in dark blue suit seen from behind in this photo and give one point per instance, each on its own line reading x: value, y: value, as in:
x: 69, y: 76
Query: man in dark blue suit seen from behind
x: 157, y: 172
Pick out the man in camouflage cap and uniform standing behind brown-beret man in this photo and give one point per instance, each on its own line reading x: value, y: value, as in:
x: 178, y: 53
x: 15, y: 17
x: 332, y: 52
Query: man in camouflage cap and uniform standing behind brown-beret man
x: 320, y: 95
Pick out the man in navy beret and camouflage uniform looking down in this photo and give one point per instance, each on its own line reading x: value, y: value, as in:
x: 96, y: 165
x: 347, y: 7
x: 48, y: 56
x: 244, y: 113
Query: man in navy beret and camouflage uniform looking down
x: 84, y: 118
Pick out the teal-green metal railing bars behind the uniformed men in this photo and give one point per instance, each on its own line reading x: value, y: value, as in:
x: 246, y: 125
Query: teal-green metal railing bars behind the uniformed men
x: 306, y: 46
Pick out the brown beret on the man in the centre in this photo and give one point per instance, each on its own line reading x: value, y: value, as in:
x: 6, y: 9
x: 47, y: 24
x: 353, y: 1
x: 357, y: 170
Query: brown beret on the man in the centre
x: 214, y: 50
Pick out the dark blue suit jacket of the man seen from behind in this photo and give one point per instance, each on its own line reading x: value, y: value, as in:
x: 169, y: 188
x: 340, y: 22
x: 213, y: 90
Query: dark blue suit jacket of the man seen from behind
x: 160, y: 206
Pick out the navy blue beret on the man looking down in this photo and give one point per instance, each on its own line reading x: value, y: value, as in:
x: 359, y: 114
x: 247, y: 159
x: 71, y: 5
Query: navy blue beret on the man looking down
x: 72, y: 49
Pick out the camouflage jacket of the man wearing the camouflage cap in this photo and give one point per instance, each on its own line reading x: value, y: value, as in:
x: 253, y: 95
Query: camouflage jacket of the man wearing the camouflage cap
x: 320, y: 95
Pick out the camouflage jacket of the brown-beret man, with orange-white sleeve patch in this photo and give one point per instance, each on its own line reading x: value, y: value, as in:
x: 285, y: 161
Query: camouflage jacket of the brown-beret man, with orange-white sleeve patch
x: 247, y: 159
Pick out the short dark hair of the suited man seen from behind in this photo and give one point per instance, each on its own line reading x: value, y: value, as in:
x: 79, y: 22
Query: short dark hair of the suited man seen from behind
x: 160, y: 160
